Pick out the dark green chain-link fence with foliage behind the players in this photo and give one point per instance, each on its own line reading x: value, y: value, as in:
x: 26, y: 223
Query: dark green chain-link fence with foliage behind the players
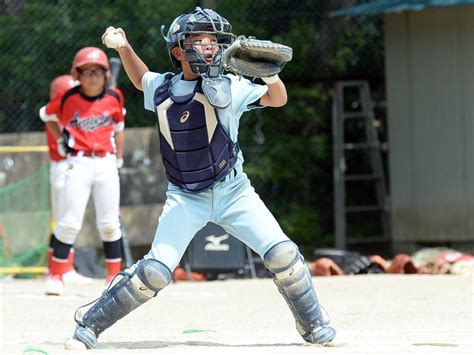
x: 39, y: 39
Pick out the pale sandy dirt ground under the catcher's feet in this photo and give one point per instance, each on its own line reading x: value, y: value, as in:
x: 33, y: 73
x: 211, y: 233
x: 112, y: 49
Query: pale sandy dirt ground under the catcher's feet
x: 373, y: 314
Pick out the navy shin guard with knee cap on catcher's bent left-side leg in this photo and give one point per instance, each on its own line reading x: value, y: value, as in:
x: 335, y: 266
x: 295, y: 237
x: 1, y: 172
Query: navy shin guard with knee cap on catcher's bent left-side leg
x: 130, y: 292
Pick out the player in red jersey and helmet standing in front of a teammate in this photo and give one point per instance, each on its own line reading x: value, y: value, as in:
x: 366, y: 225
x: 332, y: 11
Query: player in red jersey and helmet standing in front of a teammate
x: 93, y: 136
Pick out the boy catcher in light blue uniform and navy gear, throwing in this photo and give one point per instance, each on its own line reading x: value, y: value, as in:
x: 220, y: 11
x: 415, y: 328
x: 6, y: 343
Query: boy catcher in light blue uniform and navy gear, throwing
x: 198, y: 112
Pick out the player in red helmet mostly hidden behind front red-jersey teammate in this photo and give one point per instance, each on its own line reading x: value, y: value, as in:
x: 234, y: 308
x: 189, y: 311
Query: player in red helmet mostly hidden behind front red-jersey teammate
x: 57, y: 175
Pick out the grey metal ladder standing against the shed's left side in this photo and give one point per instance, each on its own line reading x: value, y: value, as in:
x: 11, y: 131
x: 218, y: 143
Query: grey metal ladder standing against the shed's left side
x: 369, y: 147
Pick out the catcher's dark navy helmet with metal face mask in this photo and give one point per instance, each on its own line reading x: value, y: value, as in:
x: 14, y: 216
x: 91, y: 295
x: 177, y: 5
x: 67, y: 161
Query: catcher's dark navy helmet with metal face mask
x: 195, y: 23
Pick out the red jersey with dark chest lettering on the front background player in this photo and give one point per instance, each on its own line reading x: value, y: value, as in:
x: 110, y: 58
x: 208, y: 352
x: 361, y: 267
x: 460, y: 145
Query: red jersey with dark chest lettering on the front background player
x: 90, y: 121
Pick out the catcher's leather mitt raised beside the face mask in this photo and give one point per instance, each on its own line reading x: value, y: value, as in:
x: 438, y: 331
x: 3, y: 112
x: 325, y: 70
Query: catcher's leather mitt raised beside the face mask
x: 256, y: 58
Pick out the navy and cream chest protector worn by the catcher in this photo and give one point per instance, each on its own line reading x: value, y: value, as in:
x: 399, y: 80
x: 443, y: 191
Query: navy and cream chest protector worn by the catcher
x: 196, y: 150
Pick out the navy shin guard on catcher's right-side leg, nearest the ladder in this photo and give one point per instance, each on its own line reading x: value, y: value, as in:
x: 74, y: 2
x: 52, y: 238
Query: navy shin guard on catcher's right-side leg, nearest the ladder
x: 293, y: 280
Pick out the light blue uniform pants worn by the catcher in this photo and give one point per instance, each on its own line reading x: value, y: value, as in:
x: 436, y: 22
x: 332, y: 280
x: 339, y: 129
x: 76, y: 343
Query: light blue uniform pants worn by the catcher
x: 232, y: 204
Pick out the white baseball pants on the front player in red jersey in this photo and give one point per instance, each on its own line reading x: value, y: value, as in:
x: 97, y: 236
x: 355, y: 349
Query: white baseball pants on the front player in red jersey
x: 86, y: 175
